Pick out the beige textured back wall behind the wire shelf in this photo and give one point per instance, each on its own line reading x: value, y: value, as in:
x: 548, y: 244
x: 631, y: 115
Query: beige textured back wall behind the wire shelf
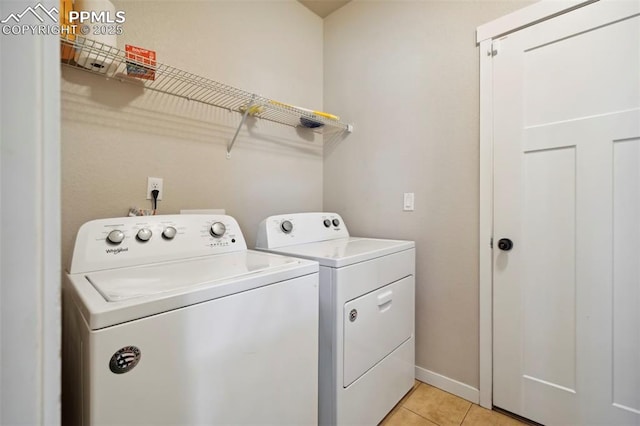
x: 114, y: 135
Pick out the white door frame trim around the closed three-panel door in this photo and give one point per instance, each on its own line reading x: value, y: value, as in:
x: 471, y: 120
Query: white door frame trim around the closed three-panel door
x: 485, y: 36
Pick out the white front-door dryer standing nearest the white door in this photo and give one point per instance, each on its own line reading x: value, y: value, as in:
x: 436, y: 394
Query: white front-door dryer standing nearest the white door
x: 367, y: 293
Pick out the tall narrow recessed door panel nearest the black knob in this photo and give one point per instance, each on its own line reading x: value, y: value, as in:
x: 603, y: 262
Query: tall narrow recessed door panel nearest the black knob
x: 549, y: 220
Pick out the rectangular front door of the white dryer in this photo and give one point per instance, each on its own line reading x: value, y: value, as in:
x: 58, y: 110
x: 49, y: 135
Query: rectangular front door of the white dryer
x: 375, y: 324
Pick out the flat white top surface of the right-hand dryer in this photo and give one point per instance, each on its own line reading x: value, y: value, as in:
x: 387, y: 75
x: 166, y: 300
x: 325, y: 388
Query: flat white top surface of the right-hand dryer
x: 345, y: 251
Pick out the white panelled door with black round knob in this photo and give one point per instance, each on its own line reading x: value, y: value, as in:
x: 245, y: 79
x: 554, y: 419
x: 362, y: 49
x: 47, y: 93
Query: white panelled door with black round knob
x: 566, y: 297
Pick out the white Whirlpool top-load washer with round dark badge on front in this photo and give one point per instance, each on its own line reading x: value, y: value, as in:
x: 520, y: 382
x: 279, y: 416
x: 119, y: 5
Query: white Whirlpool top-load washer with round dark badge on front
x: 171, y: 320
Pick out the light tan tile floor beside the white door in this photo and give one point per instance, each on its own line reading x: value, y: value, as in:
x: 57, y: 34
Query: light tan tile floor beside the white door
x: 426, y: 405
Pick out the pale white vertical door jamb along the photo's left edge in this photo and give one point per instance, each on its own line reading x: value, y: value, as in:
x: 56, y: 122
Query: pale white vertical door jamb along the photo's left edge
x: 29, y: 227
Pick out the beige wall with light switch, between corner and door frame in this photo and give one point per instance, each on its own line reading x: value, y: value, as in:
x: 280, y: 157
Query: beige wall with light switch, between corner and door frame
x: 407, y: 74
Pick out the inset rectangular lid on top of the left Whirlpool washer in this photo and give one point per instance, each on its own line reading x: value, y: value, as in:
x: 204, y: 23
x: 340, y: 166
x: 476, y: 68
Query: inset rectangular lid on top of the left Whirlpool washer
x: 127, y: 283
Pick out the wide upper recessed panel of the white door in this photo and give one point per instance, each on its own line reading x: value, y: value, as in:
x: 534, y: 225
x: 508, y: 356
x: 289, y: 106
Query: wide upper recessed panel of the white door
x: 556, y: 72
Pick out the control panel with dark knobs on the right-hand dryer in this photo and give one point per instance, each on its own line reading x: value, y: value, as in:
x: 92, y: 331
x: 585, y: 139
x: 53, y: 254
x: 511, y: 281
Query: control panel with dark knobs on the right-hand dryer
x: 299, y: 228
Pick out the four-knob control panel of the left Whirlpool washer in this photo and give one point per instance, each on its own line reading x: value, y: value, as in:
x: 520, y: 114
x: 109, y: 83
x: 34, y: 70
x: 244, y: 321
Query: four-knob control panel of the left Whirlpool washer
x: 140, y: 240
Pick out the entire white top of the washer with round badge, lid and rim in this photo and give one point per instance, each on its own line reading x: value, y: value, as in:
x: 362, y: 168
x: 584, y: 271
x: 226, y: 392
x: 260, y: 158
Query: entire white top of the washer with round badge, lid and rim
x: 116, y: 296
